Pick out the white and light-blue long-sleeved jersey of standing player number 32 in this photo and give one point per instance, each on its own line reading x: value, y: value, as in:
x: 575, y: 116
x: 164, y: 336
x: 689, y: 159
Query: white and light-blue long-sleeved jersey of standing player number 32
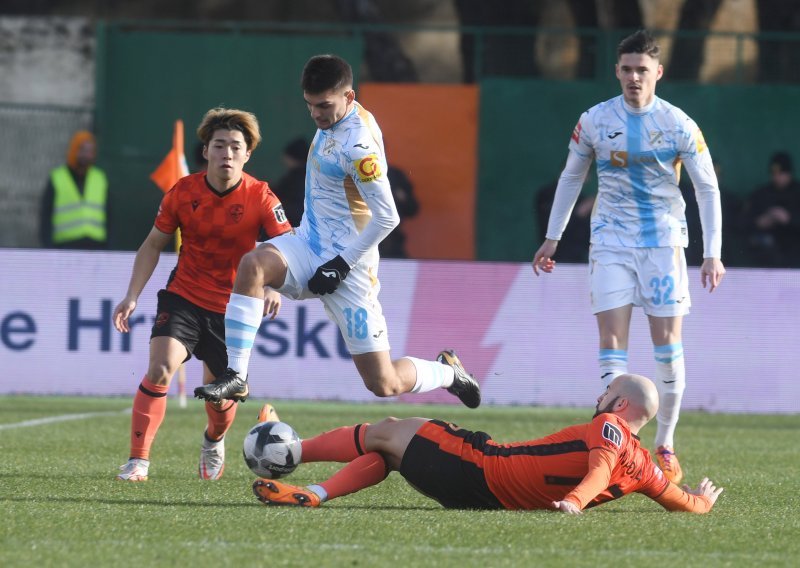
x: 639, y: 153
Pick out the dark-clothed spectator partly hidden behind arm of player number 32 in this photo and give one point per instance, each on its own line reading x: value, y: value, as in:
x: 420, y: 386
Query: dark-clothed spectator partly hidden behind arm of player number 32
x: 574, y: 244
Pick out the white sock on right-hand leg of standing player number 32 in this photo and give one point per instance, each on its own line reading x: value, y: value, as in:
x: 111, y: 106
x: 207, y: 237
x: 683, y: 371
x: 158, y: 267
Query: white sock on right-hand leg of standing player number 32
x: 670, y: 381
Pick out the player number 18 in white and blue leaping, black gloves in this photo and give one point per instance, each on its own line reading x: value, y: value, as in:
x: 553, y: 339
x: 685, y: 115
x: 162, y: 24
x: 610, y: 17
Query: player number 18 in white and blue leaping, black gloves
x: 333, y: 254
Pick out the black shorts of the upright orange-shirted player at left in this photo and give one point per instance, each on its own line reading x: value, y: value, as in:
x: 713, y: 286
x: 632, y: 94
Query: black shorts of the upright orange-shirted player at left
x: 201, y: 331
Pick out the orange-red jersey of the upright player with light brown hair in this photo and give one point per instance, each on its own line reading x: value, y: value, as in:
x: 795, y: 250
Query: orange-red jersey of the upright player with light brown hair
x: 217, y: 229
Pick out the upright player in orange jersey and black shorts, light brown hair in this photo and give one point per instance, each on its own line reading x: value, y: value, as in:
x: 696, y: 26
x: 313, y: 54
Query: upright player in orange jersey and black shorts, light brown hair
x: 221, y: 214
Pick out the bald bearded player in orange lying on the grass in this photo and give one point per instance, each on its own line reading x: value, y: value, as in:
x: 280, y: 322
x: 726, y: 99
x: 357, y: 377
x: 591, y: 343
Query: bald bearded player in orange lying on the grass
x: 578, y: 467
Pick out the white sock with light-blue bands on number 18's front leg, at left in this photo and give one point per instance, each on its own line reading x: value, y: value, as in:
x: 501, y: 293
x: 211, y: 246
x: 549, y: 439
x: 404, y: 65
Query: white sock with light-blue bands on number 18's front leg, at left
x: 243, y: 317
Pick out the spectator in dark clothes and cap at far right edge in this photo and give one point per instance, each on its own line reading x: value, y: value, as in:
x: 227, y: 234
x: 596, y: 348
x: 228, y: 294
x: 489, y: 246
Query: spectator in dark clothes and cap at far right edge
x: 772, y: 214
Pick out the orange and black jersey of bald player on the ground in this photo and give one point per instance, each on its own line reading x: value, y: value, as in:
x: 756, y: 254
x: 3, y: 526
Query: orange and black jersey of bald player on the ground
x: 588, y: 464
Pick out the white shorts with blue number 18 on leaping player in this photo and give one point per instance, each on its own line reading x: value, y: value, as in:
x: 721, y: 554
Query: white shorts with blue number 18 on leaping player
x: 354, y: 306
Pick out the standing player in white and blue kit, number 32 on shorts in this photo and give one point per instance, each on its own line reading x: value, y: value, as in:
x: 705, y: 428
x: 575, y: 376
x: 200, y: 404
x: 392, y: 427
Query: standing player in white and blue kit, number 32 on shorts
x: 638, y: 227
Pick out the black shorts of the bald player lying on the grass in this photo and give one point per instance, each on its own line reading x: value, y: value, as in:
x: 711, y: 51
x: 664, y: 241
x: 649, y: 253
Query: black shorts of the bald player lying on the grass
x: 435, y: 465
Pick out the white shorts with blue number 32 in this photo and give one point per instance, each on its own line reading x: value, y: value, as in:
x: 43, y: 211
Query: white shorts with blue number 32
x: 654, y: 278
